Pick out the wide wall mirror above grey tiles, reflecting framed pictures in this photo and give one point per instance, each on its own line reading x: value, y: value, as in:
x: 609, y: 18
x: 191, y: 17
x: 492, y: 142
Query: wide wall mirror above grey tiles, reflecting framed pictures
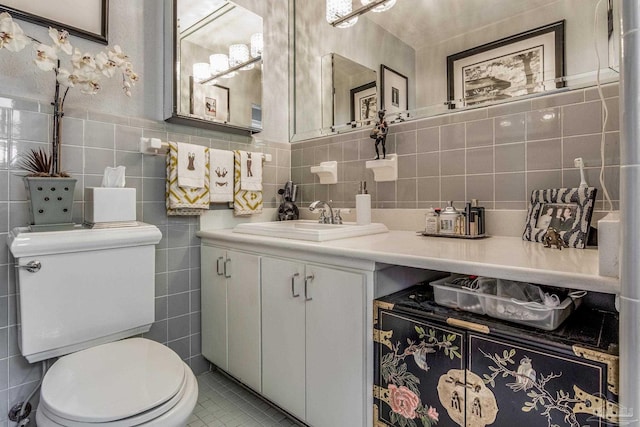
x: 416, y: 39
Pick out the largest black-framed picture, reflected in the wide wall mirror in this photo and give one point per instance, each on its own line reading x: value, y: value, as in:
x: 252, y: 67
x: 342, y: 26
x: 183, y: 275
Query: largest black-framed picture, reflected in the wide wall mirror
x: 522, y: 64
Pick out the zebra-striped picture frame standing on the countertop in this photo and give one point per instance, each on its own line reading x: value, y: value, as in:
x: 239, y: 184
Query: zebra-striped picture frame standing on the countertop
x: 555, y: 202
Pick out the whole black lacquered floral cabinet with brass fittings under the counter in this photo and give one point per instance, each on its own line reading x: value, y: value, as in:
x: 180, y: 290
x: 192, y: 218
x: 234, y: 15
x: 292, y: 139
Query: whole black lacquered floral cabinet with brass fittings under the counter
x: 433, y: 363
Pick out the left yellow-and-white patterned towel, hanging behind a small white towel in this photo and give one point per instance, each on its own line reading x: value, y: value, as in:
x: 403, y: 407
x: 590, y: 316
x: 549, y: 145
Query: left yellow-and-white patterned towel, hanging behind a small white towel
x: 181, y: 200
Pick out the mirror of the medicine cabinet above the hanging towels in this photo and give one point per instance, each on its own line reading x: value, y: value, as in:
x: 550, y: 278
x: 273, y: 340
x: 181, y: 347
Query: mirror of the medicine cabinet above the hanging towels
x: 216, y: 82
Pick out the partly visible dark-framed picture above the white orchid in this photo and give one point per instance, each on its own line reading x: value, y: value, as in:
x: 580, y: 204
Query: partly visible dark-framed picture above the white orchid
x: 89, y: 21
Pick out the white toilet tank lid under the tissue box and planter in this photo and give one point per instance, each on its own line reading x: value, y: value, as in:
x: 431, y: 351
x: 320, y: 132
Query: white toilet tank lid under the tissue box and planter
x: 23, y: 242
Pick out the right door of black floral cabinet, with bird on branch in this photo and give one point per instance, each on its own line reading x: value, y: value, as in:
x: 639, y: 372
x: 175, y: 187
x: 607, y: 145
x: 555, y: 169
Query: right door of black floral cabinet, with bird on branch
x: 544, y: 386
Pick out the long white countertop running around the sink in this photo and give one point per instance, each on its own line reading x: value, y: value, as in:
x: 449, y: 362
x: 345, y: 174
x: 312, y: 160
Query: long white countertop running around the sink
x: 501, y: 257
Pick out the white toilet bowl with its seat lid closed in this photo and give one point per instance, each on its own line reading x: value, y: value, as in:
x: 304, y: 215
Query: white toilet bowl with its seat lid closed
x: 133, y: 382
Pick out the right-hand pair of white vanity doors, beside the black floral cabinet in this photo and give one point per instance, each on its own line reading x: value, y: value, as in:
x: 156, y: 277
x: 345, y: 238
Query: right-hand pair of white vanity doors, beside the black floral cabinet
x: 313, y: 343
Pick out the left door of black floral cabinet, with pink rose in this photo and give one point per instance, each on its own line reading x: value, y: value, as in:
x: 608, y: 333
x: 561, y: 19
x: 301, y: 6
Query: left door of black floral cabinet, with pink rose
x: 411, y: 356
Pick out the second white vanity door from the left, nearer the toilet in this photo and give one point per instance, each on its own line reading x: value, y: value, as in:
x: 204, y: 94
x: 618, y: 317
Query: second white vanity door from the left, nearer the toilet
x: 243, y: 317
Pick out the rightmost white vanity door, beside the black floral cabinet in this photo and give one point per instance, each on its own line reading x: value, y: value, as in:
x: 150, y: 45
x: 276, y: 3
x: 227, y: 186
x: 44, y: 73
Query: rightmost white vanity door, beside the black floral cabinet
x: 335, y: 347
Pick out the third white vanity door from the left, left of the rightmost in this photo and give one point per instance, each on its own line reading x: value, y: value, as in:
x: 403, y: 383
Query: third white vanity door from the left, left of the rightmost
x: 283, y: 334
